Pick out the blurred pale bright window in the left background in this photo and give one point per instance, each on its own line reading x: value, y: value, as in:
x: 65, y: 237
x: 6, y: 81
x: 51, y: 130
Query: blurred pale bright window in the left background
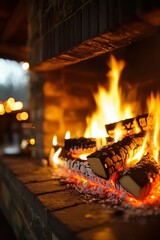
x: 14, y: 82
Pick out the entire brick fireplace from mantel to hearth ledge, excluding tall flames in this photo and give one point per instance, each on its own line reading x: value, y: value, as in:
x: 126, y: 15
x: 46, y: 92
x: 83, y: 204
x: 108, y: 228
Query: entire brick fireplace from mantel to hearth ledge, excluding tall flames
x: 71, y: 45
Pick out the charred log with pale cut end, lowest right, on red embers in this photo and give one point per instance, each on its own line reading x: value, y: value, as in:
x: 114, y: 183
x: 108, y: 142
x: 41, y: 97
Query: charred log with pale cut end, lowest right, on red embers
x: 137, y: 180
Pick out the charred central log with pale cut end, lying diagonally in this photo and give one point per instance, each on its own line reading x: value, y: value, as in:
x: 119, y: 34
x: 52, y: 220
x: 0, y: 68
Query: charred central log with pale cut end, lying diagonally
x: 110, y: 159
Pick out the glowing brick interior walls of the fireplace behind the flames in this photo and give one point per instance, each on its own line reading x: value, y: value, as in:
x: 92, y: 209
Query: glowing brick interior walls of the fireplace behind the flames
x: 68, y: 93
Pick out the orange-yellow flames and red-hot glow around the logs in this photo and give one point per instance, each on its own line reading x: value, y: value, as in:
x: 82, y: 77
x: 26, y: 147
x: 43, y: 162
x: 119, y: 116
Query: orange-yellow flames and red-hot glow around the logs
x: 112, y: 108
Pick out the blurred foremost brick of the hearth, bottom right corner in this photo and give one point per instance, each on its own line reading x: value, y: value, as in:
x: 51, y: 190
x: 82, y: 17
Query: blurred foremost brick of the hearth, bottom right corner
x: 124, y: 231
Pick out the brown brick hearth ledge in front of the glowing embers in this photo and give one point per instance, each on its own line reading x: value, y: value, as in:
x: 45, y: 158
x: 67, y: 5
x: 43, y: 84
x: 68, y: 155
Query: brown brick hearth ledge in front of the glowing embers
x: 39, y: 208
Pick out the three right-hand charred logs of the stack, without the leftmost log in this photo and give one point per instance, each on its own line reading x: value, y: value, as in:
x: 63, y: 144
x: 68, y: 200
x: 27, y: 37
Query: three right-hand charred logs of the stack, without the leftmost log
x: 138, y: 179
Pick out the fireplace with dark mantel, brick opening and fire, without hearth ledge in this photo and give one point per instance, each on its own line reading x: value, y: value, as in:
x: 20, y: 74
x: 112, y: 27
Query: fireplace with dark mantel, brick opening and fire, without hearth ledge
x: 66, y: 94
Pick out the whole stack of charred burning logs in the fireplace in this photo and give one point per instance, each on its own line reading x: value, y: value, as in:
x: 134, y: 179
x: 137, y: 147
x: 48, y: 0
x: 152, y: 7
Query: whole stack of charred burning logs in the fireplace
x: 112, y: 159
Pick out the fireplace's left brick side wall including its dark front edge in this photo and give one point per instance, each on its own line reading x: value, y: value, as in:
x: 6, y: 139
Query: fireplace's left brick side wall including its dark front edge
x: 60, y: 101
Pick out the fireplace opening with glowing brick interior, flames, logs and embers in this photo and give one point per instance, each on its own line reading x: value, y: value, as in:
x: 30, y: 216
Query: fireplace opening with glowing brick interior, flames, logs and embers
x: 68, y: 99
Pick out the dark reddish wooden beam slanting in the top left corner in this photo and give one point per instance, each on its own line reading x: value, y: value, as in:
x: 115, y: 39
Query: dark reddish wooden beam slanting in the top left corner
x: 17, y: 17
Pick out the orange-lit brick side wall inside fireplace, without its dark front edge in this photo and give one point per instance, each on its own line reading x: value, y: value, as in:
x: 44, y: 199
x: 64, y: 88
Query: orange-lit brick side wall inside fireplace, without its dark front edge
x: 67, y: 101
